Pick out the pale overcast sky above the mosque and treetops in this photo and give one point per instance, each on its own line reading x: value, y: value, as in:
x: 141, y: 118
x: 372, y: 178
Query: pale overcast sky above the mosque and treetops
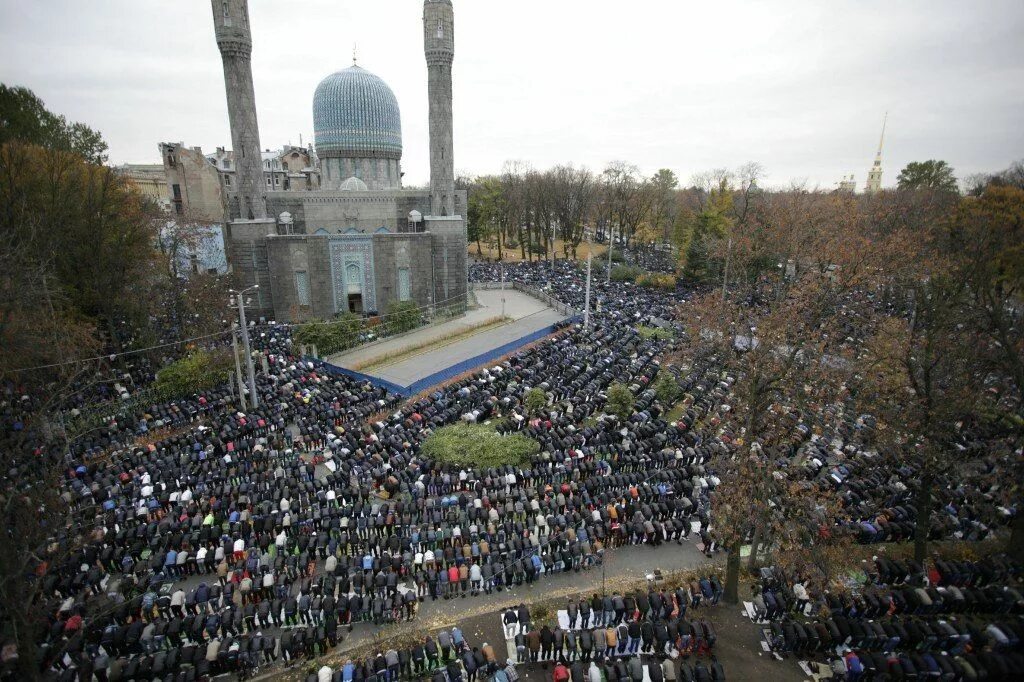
x: 799, y: 87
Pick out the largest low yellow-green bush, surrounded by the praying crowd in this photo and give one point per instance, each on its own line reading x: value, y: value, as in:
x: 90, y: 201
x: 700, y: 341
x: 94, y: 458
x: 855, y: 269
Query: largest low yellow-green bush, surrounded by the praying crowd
x: 478, y: 446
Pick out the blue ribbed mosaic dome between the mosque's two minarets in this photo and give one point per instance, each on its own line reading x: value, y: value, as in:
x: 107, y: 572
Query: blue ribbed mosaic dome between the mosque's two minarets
x: 357, y: 115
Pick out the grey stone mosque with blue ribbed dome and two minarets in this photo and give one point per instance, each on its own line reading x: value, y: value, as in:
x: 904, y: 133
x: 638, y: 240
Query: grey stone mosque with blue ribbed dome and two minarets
x: 359, y: 241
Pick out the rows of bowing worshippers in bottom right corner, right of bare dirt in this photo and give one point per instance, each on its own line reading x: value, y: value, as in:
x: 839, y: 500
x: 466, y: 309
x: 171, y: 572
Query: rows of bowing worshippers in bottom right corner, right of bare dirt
x: 957, y: 621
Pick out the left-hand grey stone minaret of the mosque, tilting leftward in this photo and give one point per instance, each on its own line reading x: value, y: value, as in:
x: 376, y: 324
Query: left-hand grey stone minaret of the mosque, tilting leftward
x: 231, y: 20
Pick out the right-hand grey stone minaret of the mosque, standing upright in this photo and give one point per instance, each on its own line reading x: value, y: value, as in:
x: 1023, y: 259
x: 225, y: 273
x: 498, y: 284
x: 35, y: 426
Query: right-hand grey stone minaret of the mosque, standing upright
x: 439, y: 45
